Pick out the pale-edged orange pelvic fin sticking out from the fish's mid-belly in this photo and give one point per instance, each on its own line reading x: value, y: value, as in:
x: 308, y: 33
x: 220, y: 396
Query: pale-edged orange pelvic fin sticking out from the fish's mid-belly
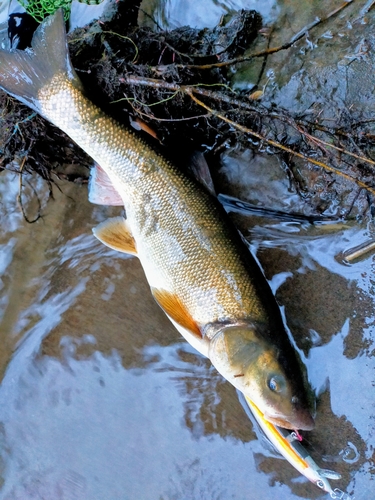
x: 116, y: 234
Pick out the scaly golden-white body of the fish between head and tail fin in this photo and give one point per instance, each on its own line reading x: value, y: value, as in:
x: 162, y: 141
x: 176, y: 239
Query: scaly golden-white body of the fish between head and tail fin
x: 208, y: 275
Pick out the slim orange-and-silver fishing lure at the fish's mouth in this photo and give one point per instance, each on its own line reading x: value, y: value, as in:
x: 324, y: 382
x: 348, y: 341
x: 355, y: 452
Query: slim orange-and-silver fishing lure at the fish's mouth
x: 289, y: 445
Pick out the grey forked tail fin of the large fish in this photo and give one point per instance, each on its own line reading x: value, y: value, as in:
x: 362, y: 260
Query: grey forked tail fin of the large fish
x: 24, y: 73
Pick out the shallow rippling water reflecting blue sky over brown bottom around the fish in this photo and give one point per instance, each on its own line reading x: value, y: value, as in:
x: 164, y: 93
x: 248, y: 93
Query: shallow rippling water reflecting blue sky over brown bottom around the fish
x: 102, y: 399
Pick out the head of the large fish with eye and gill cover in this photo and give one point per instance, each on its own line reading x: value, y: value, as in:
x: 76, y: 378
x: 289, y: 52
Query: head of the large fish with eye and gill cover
x: 253, y: 365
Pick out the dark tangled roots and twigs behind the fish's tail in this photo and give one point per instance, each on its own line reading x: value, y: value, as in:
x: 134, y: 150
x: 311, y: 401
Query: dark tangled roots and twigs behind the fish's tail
x: 177, y: 84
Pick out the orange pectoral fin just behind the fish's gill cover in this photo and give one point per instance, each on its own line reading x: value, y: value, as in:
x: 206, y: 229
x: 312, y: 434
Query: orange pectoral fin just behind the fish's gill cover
x: 173, y: 307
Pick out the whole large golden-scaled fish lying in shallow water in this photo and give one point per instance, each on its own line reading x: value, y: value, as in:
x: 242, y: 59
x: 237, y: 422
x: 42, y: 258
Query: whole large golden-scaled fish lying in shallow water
x: 199, y: 269
